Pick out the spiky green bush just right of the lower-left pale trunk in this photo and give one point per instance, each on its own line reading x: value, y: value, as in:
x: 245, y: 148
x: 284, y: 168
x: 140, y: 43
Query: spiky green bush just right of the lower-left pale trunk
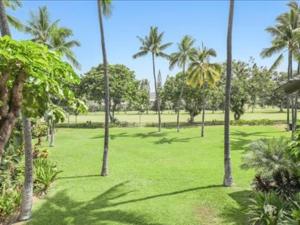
x: 45, y: 174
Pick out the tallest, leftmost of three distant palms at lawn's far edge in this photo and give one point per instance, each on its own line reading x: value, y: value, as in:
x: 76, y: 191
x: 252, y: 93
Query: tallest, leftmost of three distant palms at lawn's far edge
x: 153, y: 44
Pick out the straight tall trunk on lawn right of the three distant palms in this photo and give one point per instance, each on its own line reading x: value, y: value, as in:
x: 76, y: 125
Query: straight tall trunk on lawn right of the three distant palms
x: 227, y: 156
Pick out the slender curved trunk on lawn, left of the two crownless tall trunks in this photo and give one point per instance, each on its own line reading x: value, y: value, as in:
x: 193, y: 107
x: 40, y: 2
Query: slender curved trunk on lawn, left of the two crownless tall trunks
x: 104, y: 170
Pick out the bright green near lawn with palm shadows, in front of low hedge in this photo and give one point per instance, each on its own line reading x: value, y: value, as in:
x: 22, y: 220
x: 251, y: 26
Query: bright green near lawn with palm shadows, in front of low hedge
x: 165, y: 178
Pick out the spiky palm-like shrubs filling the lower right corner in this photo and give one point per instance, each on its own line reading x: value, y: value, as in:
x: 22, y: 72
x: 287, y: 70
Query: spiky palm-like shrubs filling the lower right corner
x: 277, y: 182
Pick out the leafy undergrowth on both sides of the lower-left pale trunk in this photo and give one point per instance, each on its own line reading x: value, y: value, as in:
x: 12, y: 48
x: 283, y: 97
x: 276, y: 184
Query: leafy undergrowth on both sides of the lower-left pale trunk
x: 12, y: 175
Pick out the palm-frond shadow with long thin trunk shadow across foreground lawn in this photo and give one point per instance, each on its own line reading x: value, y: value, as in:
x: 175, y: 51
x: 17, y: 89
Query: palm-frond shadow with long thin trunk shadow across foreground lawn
x: 63, y: 210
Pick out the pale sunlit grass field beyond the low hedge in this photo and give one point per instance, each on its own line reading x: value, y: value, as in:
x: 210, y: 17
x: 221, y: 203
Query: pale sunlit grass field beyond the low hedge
x: 170, y: 116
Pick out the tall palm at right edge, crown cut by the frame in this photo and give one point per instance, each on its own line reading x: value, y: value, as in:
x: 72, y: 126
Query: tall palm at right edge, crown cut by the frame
x: 285, y: 37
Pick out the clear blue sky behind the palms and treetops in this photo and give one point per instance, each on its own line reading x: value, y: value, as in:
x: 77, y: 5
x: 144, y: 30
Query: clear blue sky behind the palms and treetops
x: 206, y: 21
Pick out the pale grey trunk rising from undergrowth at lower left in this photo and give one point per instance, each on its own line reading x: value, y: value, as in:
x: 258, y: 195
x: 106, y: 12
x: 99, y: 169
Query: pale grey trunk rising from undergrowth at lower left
x: 27, y: 194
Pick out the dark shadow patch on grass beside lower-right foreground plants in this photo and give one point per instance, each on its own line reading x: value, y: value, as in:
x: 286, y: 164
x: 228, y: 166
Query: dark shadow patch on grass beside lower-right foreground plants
x: 237, y: 215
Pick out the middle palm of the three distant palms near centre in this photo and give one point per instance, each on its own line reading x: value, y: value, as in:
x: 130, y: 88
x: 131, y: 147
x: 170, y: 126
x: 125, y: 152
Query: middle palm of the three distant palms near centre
x: 181, y: 58
